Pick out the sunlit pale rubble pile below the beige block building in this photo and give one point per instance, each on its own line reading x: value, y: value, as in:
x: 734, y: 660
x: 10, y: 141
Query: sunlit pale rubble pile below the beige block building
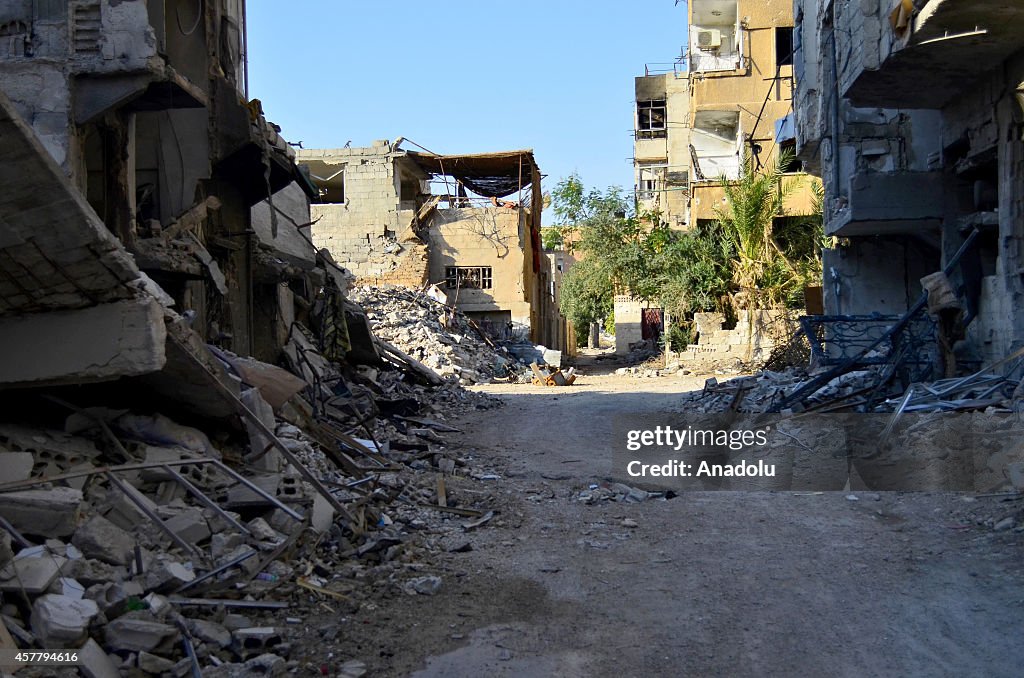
x: 438, y: 335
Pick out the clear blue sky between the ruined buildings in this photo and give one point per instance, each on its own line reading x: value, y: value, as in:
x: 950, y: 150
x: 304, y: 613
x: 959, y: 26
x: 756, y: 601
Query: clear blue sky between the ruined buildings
x: 463, y: 76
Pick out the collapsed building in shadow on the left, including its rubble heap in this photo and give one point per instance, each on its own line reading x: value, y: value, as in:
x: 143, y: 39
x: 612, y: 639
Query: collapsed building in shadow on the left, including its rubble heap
x: 182, y: 374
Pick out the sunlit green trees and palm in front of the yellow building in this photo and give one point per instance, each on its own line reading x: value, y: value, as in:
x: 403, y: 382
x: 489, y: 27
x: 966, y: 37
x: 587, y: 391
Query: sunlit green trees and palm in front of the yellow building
x: 752, y: 258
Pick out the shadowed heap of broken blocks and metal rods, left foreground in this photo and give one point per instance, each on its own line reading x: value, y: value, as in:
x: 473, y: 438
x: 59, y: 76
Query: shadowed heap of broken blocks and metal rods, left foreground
x: 156, y: 548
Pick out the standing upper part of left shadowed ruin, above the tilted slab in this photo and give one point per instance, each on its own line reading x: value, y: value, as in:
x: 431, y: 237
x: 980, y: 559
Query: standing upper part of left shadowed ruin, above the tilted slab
x: 144, y: 107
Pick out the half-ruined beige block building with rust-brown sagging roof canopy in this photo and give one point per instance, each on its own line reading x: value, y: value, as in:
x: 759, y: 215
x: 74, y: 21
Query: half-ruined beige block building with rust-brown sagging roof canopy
x: 470, y: 225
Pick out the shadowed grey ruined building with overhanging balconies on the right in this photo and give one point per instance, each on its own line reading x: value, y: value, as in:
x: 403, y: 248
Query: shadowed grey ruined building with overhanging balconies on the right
x: 912, y: 112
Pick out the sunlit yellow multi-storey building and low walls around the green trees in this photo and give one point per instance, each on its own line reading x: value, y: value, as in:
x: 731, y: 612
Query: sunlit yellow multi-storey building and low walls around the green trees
x: 728, y: 97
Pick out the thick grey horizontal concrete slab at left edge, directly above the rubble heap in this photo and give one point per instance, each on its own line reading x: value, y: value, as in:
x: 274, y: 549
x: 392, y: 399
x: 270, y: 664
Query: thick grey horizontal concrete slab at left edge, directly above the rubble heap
x: 111, y: 341
